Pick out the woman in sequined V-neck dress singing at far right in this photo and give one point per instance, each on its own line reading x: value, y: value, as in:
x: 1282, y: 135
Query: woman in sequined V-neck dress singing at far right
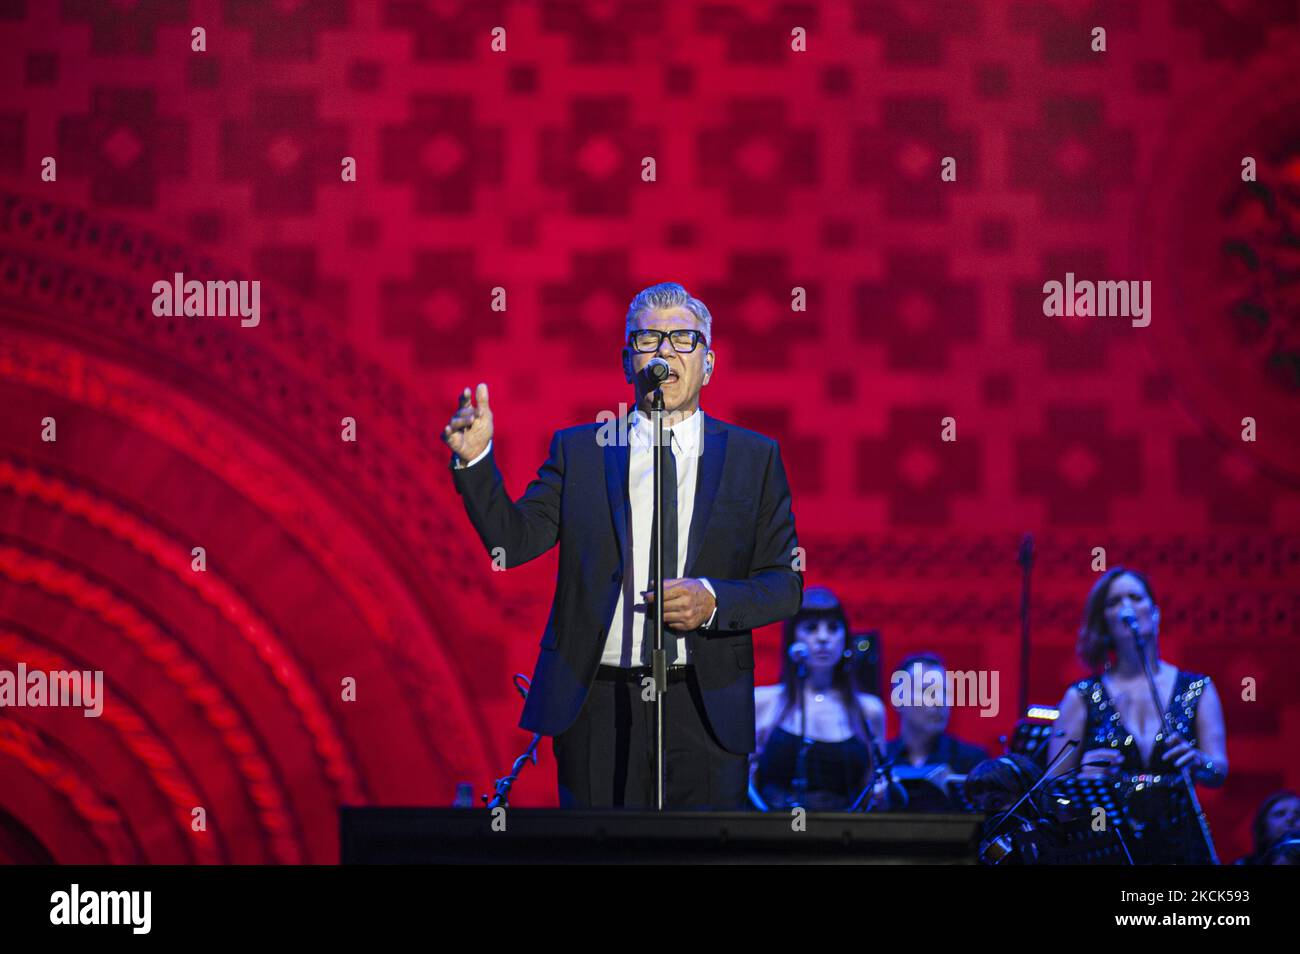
x: 1113, y: 717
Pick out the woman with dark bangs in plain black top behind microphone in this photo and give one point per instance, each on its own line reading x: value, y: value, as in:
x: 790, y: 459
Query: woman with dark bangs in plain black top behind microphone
x: 843, y: 723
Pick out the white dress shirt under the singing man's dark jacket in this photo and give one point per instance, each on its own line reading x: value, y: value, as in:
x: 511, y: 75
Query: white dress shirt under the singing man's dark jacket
x: 623, y: 640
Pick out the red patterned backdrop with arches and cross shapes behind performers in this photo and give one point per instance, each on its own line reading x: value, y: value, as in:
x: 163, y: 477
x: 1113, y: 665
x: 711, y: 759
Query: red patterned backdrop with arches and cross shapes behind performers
x: 522, y: 170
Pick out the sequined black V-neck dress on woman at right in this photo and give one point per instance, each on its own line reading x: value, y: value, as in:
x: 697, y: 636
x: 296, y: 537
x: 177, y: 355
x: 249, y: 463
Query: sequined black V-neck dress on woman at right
x: 1160, y: 827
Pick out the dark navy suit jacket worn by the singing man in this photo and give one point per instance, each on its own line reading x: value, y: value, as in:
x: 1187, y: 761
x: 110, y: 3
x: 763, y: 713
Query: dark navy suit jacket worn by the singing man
x: 742, y: 539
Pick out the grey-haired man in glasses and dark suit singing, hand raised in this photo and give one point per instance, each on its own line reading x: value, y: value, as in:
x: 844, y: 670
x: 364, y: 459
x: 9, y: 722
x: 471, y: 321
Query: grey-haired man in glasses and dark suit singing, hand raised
x: 731, y: 562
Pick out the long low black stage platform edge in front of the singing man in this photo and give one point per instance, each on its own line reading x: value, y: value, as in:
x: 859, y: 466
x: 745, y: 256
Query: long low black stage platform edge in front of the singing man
x: 551, y: 836
